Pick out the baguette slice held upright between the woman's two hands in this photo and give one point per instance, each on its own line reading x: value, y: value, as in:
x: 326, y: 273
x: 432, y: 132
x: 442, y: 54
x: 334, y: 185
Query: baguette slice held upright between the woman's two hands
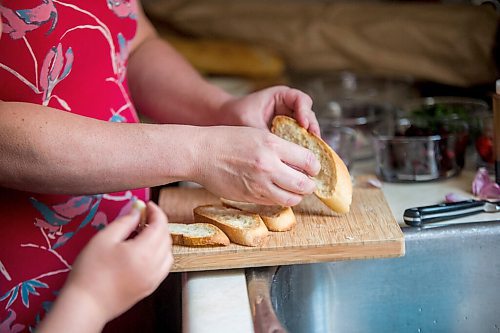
x: 333, y: 183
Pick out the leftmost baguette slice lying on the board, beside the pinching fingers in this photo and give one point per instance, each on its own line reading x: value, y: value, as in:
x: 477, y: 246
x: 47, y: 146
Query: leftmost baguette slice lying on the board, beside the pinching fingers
x: 197, y: 234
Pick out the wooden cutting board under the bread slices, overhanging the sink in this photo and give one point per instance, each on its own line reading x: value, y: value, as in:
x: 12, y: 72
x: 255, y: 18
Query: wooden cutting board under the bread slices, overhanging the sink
x: 368, y: 231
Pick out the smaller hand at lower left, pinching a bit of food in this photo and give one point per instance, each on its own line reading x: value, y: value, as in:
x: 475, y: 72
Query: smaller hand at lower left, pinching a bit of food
x: 116, y: 272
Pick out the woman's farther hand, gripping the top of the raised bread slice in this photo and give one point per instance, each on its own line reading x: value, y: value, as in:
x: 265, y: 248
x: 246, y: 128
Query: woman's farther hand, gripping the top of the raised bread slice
x: 258, y: 109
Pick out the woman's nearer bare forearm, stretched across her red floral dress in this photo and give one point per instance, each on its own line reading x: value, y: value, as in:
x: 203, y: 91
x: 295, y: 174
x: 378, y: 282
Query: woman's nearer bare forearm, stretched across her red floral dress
x: 51, y: 151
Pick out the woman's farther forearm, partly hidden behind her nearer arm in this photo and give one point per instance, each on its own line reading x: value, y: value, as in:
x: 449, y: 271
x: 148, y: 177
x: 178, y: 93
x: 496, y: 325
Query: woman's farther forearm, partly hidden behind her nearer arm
x: 167, y: 89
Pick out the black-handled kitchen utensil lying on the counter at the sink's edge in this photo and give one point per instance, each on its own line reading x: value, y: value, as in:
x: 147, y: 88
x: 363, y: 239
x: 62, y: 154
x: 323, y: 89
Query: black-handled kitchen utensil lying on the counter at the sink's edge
x: 418, y: 216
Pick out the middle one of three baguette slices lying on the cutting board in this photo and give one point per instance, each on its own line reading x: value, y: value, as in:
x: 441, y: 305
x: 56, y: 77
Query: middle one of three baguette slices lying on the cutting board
x: 241, y: 227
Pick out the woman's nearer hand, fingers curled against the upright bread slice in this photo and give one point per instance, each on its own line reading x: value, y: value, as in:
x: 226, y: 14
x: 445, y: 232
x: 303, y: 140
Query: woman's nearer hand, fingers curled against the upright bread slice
x: 254, y: 165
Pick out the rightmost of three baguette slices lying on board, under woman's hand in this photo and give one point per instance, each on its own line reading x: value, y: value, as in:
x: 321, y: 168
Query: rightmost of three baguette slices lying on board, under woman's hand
x: 276, y: 218
